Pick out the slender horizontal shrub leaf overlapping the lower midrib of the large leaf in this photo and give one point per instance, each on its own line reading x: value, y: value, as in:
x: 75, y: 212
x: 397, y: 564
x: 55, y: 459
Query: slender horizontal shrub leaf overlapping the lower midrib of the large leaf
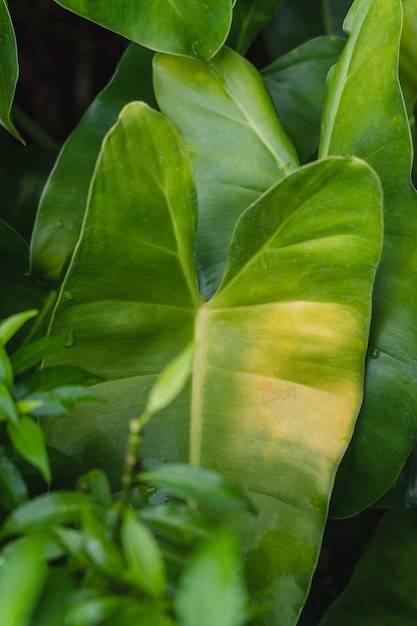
x: 203, y: 486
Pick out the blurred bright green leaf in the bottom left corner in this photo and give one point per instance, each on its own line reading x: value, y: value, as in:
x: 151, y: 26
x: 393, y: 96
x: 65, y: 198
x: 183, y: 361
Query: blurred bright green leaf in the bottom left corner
x: 22, y: 574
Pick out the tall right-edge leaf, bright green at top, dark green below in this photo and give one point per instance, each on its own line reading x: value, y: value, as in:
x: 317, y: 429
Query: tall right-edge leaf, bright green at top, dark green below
x: 365, y: 116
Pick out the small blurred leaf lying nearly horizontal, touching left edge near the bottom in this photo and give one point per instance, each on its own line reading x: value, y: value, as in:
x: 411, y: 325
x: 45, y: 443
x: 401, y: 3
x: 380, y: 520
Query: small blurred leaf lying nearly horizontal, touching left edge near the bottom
x: 43, y: 512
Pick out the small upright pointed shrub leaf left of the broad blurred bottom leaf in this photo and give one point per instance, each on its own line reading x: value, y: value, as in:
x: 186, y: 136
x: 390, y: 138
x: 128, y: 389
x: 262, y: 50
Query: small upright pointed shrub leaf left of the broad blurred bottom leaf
x: 146, y: 566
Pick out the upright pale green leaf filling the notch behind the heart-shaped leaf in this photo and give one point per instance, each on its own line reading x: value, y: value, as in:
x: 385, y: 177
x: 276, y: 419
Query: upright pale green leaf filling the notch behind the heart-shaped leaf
x: 238, y: 148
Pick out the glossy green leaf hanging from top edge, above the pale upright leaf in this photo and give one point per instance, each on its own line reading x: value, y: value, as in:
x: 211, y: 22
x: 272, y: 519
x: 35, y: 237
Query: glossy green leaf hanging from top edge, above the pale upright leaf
x: 189, y: 27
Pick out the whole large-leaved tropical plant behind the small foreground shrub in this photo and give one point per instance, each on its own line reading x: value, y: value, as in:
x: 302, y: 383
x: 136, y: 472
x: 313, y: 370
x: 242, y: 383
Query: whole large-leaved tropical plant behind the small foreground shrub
x: 267, y: 219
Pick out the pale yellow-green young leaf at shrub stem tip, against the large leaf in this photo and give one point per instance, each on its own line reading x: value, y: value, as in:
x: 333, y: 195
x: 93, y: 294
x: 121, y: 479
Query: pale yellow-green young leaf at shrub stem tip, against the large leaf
x: 171, y: 380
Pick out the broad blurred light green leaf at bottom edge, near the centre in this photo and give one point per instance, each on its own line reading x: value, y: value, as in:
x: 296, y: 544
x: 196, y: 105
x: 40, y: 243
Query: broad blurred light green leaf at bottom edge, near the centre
x: 212, y: 588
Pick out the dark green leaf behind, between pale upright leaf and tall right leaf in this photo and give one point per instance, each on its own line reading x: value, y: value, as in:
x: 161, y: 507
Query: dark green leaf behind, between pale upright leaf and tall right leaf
x: 297, y: 84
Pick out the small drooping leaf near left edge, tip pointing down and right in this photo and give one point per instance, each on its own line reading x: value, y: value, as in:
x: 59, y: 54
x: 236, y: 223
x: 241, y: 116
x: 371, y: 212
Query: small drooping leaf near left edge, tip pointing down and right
x: 28, y: 439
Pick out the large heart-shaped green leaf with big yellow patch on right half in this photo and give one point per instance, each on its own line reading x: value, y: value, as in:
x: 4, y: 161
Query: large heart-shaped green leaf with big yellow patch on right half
x: 278, y: 366
